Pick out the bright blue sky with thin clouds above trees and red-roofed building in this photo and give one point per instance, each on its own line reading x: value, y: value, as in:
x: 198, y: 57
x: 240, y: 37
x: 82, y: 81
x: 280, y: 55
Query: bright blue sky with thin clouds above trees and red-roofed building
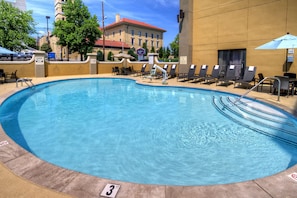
x: 160, y: 13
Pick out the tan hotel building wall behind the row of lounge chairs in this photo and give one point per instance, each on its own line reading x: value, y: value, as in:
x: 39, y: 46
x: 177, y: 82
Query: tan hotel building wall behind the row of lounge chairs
x: 228, y: 31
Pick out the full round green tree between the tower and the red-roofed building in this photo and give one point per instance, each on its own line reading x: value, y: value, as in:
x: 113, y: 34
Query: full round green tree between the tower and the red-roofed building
x: 79, y: 31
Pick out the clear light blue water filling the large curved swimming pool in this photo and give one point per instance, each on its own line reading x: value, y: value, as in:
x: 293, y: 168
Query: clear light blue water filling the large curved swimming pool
x: 117, y: 129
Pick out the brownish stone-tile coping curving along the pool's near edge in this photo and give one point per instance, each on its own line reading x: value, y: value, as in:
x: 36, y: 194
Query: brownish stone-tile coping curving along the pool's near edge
x: 77, y: 184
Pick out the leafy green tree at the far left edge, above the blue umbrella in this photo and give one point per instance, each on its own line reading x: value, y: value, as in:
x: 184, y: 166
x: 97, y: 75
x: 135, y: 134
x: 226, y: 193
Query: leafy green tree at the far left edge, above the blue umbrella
x: 15, y: 27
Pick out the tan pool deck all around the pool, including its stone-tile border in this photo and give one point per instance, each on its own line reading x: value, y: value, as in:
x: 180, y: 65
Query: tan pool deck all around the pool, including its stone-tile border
x: 24, y: 175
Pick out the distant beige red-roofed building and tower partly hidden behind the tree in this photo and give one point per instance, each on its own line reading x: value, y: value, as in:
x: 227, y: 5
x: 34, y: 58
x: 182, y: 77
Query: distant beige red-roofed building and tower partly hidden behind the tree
x: 120, y: 36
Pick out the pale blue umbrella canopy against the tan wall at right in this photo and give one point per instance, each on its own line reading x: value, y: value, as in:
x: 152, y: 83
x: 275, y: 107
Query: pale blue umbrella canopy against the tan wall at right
x: 287, y: 41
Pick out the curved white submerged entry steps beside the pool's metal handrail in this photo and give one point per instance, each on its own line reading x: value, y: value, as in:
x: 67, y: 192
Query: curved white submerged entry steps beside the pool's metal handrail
x: 258, y: 117
